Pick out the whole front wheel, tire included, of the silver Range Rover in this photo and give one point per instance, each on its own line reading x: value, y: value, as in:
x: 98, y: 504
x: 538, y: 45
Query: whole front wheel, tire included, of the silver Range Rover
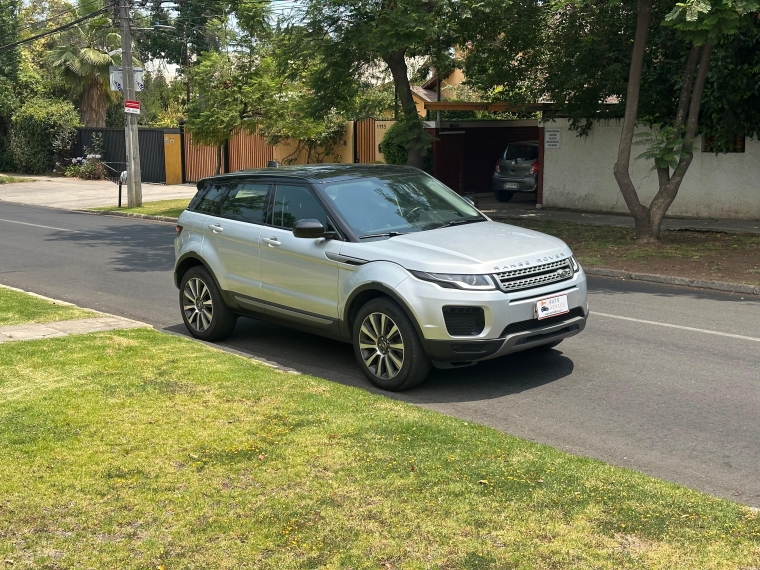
x: 387, y: 347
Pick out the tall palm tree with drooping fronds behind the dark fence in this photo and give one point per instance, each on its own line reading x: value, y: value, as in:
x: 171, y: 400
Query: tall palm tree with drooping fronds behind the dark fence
x: 83, y: 60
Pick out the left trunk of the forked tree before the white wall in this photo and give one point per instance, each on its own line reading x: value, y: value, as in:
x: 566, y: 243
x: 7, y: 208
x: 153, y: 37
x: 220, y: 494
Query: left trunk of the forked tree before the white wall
x: 639, y: 212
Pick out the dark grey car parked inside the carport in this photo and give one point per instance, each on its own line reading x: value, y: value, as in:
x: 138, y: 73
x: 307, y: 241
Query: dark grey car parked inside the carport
x: 516, y: 170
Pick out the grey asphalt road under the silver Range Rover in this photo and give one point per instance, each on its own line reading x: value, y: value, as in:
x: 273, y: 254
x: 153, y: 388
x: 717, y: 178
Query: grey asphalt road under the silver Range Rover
x: 663, y: 380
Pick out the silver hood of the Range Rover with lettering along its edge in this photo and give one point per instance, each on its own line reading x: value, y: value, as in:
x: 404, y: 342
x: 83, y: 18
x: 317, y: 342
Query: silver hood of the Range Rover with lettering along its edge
x: 483, y: 247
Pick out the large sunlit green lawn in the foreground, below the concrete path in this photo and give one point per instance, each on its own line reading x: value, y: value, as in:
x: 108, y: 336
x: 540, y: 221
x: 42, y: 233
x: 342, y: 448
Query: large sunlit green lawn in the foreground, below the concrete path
x: 135, y: 449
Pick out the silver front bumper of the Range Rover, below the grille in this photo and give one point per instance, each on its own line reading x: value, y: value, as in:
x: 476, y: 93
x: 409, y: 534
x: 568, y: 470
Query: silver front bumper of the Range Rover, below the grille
x: 510, y: 323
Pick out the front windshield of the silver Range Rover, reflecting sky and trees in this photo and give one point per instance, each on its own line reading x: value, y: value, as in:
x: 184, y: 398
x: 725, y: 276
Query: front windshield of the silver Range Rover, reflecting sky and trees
x: 399, y: 204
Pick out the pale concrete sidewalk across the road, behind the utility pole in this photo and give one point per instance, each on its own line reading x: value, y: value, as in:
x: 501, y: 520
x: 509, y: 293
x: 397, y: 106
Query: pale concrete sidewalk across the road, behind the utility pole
x: 73, y: 194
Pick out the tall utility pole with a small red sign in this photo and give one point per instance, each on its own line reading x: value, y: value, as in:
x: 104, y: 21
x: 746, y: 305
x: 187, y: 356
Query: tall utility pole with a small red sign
x: 134, y: 176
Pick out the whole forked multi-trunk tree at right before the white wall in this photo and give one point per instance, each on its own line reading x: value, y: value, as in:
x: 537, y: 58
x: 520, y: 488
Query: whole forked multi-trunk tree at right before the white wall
x: 671, y: 148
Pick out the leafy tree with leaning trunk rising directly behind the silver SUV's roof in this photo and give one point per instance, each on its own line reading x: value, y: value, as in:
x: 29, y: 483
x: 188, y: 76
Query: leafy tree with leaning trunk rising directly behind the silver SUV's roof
x: 353, y: 37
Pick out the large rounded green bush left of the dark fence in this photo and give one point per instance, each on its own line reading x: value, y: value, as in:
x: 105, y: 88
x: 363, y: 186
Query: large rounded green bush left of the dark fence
x: 35, y: 127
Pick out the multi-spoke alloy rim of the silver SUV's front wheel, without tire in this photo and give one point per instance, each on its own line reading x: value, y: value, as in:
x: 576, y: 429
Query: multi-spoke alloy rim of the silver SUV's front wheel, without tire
x: 381, y: 345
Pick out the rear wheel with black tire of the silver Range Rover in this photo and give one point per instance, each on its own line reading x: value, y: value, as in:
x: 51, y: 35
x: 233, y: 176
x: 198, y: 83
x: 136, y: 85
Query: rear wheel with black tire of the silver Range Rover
x: 204, y: 312
